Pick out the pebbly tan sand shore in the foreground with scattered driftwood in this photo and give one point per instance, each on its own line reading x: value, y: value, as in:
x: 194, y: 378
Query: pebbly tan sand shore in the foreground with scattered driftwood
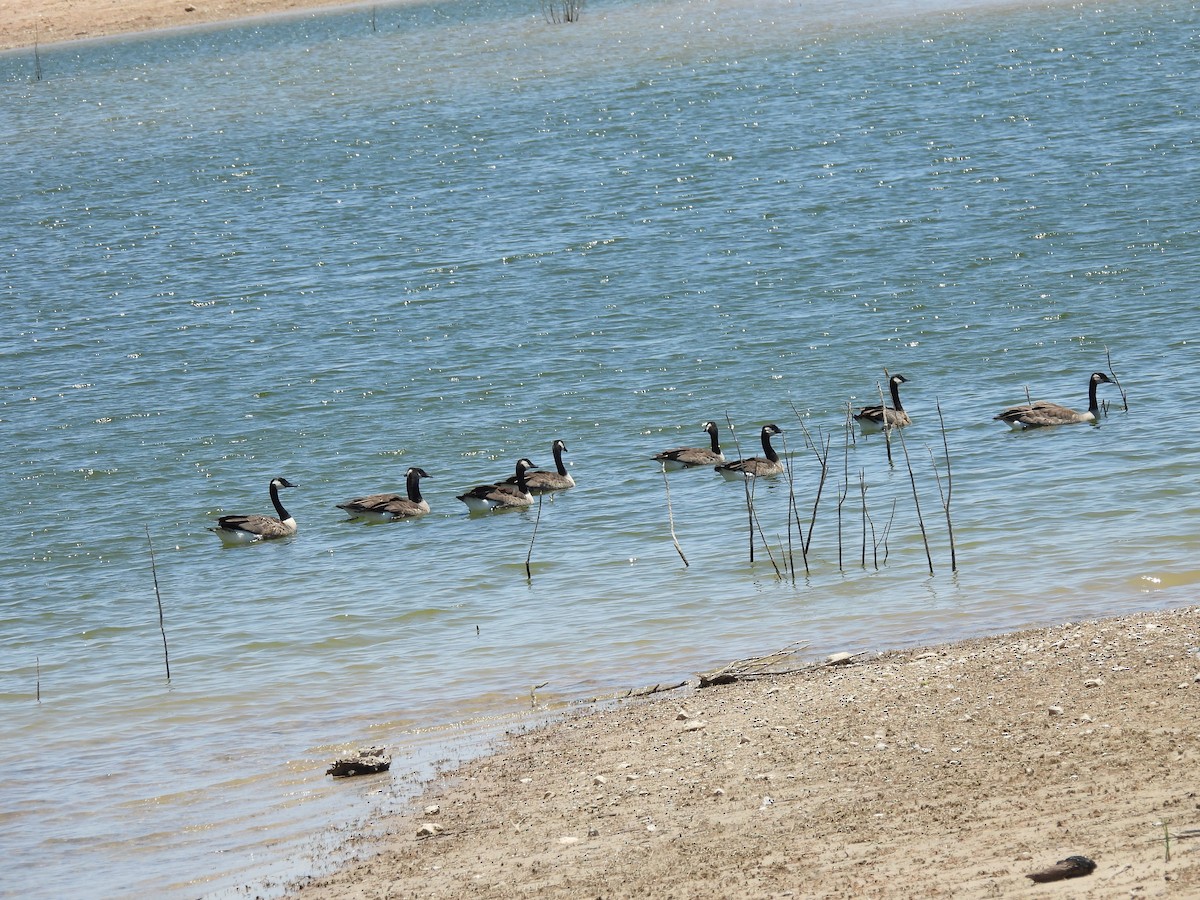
x: 952, y: 771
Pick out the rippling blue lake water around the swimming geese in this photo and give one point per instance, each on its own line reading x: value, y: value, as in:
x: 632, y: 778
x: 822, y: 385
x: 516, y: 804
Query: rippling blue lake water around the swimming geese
x: 443, y: 236
